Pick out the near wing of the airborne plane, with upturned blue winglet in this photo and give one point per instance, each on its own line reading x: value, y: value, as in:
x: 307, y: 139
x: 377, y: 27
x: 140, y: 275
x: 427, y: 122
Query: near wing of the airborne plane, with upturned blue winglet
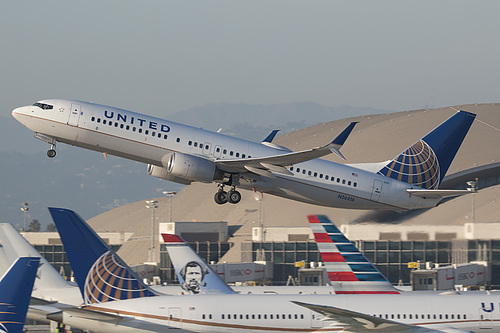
x: 278, y: 163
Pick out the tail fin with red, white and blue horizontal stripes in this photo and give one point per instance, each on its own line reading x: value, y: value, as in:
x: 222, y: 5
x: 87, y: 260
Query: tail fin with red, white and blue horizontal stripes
x: 348, y: 269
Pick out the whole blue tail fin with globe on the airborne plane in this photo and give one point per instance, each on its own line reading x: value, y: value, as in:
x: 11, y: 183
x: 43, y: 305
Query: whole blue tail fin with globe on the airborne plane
x: 426, y: 162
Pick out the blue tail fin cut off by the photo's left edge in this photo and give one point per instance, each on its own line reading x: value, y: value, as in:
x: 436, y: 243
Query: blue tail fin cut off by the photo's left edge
x: 15, y: 291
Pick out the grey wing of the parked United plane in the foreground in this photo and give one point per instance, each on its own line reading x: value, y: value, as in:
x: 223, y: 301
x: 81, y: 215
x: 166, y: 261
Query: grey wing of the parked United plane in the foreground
x: 353, y: 321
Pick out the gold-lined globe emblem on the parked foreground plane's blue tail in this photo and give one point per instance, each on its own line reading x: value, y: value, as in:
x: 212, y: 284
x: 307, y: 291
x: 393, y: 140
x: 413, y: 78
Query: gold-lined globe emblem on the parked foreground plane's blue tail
x: 110, y: 279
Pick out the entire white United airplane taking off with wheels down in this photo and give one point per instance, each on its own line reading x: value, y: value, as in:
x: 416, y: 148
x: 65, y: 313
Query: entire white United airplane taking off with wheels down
x: 185, y: 154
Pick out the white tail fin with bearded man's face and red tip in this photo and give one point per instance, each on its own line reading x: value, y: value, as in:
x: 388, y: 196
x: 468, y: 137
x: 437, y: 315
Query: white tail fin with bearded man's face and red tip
x: 194, y: 275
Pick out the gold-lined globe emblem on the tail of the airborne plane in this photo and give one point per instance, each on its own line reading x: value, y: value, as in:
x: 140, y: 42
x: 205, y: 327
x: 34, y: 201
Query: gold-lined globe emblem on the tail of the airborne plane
x: 417, y: 165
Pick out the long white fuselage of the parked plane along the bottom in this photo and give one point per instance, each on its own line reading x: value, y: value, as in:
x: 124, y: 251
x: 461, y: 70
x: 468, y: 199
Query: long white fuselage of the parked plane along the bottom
x: 471, y: 311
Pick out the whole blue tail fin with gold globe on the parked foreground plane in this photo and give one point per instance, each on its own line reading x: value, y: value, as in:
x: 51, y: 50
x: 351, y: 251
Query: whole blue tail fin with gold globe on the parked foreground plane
x: 101, y: 275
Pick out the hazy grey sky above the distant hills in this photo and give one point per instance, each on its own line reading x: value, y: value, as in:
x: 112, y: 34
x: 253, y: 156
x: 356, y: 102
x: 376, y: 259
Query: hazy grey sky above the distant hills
x: 161, y: 57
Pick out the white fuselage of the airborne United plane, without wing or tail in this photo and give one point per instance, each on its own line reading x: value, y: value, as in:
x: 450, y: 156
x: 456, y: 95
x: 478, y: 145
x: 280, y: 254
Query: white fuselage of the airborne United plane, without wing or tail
x: 148, y: 139
